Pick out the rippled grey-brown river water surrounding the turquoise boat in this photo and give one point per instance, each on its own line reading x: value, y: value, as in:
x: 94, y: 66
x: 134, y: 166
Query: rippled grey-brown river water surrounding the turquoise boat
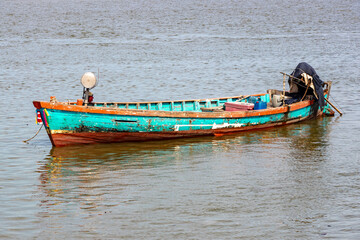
x: 296, y: 182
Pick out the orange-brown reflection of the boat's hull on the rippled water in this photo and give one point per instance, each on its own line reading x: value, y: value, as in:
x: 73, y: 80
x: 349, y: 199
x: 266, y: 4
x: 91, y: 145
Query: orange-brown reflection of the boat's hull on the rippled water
x: 303, y: 142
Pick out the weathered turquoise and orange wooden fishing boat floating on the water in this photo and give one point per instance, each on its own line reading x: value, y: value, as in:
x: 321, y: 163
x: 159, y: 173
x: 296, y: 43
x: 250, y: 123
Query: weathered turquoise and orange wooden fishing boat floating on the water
x: 82, y: 122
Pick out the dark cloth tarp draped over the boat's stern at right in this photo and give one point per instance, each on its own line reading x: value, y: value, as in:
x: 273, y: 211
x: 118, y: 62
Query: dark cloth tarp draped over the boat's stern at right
x: 309, y: 78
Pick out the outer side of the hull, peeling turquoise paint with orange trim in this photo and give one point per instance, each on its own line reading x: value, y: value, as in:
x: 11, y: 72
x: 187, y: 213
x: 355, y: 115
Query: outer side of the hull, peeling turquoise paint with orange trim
x: 68, y: 124
